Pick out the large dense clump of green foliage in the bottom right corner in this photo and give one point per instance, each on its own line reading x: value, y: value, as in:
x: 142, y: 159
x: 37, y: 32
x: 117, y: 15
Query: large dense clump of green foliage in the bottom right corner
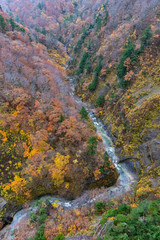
x: 139, y: 223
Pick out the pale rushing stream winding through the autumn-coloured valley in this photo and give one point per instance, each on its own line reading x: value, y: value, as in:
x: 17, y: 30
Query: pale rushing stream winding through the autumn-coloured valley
x: 125, y: 182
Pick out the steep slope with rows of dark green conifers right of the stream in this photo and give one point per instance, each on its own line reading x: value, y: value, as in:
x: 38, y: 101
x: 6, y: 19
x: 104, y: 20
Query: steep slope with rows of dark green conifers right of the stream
x: 118, y: 71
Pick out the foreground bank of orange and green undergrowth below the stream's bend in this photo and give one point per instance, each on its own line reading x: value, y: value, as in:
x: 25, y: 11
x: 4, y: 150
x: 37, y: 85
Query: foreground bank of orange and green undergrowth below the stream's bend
x: 126, y: 217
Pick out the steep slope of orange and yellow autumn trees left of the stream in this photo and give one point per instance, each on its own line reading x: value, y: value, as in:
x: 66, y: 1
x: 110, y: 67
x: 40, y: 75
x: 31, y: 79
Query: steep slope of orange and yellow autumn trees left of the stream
x: 45, y: 145
